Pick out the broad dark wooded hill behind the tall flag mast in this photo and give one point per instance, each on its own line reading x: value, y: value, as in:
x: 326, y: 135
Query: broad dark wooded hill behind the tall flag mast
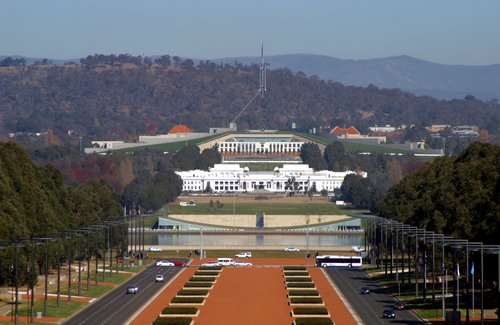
x: 102, y: 99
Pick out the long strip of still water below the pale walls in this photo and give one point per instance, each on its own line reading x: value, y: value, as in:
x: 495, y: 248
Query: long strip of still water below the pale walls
x: 165, y: 239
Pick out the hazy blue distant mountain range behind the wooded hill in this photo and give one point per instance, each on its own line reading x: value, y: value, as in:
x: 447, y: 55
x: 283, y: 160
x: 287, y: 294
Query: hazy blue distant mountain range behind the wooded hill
x: 404, y: 72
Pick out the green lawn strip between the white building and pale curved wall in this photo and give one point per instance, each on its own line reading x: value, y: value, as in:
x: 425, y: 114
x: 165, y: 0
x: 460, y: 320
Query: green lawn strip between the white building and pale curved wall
x: 267, y: 208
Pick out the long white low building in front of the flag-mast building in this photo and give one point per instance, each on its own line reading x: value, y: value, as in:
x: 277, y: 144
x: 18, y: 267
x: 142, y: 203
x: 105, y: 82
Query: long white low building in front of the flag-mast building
x: 223, y: 178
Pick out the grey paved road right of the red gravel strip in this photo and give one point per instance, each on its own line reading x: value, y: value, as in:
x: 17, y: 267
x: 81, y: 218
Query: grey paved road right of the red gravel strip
x: 369, y: 307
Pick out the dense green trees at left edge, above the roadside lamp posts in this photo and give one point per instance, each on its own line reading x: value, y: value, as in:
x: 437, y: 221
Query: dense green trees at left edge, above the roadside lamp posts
x: 35, y: 203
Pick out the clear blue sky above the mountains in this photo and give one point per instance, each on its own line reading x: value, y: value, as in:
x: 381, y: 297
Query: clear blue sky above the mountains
x: 445, y: 31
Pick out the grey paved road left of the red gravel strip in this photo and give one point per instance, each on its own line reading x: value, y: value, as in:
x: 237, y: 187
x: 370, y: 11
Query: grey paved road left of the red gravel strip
x: 117, y: 306
